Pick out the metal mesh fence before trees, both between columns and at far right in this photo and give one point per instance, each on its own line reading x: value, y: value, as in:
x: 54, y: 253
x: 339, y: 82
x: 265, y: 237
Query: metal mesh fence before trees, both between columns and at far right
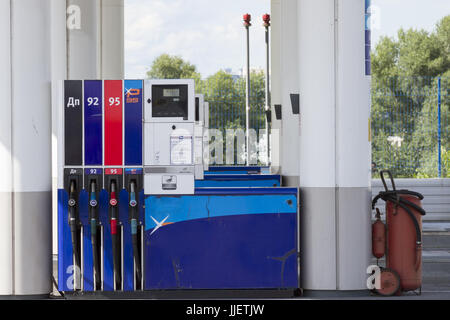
x: 410, y: 120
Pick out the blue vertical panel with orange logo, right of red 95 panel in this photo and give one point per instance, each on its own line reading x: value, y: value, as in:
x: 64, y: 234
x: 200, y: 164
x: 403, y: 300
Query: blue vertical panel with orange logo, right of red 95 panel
x: 133, y: 122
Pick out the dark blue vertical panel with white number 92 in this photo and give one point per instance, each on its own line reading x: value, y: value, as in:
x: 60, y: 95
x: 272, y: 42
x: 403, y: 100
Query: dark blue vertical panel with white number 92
x: 93, y: 101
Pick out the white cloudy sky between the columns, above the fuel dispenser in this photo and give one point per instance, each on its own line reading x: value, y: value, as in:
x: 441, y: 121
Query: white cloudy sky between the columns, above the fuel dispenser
x: 209, y: 34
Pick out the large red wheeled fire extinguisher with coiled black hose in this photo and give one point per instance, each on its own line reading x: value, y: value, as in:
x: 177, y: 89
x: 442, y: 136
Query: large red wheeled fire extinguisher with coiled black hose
x: 400, y: 239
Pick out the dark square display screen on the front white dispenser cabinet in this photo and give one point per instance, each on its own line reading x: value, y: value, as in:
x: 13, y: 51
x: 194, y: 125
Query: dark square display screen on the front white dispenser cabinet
x: 170, y: 101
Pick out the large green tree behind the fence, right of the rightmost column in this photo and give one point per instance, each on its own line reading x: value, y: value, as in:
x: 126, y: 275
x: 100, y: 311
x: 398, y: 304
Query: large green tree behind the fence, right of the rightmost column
x: 404, y: 99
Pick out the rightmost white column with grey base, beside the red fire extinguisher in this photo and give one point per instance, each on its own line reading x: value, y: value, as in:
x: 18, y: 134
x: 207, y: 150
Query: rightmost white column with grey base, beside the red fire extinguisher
x: 353, y: 148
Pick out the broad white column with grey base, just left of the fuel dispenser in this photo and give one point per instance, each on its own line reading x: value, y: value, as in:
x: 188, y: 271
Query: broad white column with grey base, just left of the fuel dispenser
x: 30, y: 149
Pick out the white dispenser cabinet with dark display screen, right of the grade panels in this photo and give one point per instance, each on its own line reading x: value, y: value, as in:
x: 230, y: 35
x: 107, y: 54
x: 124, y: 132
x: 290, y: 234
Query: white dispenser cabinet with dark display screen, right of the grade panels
x: 169, y: 166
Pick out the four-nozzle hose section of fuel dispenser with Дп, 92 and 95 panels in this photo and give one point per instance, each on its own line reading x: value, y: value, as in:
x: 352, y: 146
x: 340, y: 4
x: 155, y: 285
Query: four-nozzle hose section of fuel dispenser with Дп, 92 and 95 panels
x: 100, y: 184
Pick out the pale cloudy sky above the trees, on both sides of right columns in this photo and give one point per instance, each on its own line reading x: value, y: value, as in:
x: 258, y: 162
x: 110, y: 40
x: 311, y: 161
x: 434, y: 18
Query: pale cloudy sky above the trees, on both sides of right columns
x: 210, y: 33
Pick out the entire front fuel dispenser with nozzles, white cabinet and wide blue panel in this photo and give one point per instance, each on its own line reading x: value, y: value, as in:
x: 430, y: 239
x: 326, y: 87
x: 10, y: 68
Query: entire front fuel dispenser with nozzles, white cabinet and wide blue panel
x: 129, y: 152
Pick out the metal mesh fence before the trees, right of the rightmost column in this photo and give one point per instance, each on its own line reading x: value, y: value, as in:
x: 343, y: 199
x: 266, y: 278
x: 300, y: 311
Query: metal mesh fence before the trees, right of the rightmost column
x: 410, y: 126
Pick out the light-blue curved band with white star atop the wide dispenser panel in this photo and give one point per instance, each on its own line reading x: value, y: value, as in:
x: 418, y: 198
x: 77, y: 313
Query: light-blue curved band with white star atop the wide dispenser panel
x: 182, y: 208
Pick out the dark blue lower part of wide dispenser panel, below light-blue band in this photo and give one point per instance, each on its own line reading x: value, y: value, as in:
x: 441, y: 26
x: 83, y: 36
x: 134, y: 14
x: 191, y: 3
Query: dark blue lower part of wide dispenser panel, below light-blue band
x: 229, y: 252
